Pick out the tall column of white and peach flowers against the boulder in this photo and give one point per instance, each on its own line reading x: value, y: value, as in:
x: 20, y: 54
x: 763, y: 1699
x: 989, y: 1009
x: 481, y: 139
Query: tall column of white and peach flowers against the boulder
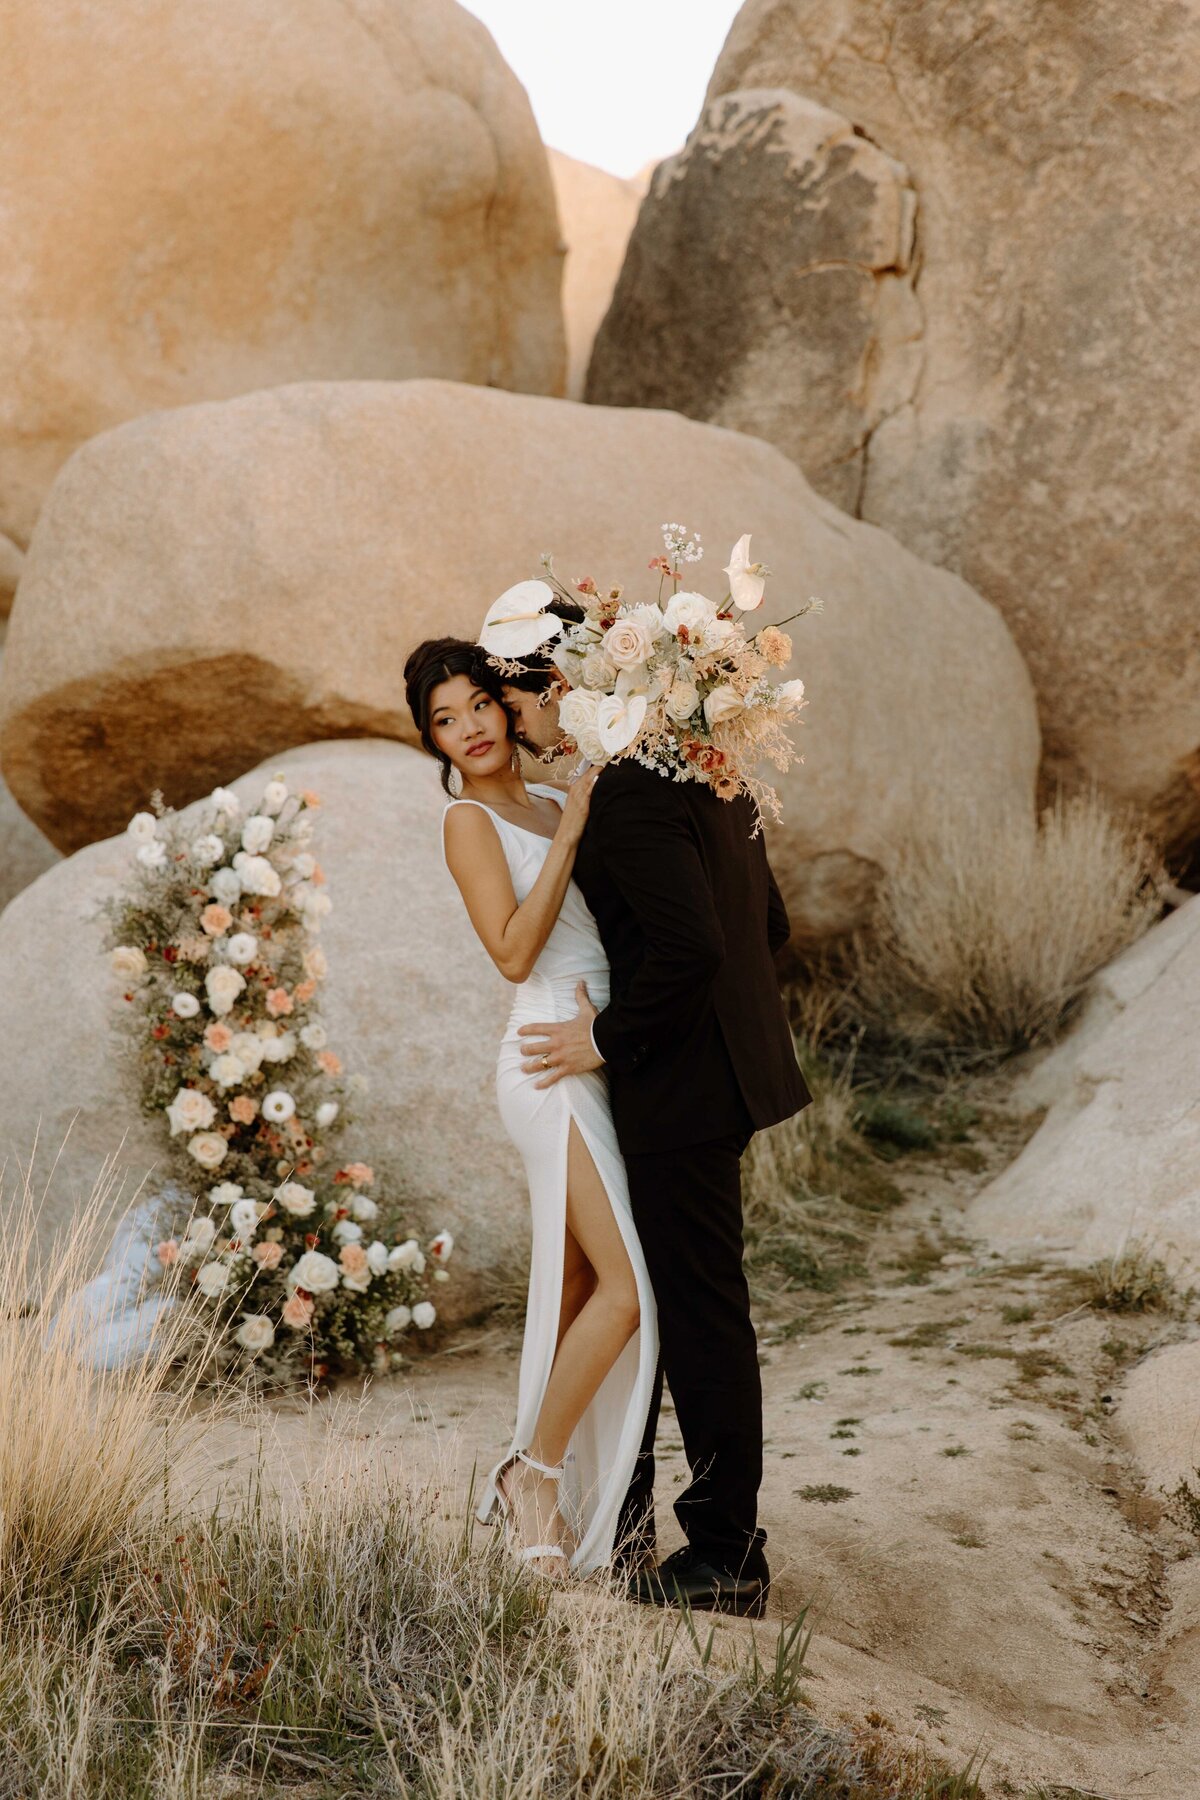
x: 217, y: 948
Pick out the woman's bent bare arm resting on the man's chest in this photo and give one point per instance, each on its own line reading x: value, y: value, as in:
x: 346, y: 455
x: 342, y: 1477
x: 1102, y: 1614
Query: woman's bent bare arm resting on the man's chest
x: 514, y: 933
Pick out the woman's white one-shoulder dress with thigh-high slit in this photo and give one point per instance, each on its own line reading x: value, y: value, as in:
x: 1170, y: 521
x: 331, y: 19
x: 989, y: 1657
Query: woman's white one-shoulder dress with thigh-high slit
x: 604, y: 1448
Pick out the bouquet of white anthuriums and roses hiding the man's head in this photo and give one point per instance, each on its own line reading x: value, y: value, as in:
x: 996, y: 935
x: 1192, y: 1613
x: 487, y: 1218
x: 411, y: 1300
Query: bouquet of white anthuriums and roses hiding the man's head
x: 679, y: 687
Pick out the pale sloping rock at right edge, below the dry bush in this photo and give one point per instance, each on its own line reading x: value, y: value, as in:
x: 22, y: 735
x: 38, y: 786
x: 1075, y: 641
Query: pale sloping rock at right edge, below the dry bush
x: 1118, y: 1155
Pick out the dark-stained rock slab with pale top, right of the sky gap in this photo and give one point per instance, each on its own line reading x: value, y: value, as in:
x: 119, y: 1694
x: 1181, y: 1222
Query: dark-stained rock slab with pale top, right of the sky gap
x: 771, y: 287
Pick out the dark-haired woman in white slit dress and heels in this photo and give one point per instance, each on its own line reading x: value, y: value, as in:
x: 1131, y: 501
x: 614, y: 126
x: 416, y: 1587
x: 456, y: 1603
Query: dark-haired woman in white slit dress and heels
x: 591, y: 1344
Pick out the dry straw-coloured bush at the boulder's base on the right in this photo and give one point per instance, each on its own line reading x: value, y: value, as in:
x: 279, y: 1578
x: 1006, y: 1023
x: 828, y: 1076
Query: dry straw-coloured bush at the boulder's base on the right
x: 985, y: 939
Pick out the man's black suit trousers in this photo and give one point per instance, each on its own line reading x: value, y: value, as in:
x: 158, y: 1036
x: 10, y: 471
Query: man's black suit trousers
x: 688, y: 1214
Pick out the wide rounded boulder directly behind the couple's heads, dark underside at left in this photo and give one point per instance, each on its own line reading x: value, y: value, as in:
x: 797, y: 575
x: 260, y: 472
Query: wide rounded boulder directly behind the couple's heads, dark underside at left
x: 211, y: 586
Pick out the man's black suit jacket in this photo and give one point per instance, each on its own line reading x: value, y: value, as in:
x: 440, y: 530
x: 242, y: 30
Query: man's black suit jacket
x: 690, y: 915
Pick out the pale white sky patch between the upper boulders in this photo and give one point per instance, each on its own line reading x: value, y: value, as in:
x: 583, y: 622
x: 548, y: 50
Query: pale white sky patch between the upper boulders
x: 613, y: 82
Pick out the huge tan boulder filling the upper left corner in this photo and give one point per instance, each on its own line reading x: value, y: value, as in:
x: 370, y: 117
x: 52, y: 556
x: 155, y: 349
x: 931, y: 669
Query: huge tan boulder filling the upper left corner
x: 202, y: 201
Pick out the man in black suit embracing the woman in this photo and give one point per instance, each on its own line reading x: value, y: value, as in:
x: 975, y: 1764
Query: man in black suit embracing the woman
x: 699, y: 1059
